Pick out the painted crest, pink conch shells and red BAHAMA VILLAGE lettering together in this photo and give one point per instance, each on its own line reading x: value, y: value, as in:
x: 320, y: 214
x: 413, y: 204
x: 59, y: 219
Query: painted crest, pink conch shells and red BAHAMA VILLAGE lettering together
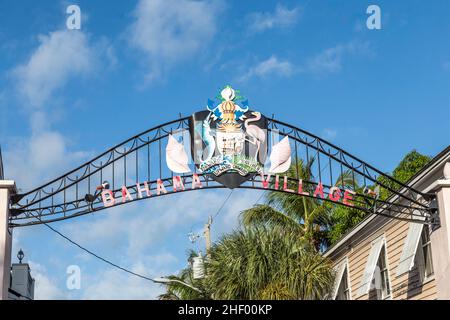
x: 229, y: 143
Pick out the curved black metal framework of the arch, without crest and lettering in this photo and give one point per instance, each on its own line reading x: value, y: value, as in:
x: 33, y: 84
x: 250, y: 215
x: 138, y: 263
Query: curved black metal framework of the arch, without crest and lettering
x: 141, y: 158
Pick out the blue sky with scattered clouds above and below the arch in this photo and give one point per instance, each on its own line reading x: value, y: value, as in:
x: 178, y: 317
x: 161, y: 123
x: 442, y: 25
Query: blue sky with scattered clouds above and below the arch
x: 66, y: 96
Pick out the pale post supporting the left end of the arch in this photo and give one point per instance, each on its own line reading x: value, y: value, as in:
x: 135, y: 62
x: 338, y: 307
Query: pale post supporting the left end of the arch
x: 7, y: 189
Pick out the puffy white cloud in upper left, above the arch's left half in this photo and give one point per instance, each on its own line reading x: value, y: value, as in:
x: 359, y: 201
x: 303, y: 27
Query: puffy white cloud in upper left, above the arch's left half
x: 60, y: 55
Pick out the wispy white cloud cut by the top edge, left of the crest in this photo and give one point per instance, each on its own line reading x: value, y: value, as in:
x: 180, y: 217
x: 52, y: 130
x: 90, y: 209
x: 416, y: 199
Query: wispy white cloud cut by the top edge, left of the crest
x: 168, y: 32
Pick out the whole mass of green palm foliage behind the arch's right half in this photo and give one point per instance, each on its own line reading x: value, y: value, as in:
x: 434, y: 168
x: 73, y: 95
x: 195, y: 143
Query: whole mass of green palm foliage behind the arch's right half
x: 275, y: 255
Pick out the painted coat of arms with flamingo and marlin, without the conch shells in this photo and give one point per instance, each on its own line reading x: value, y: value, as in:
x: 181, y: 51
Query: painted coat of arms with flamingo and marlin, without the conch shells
x: 229, y: 141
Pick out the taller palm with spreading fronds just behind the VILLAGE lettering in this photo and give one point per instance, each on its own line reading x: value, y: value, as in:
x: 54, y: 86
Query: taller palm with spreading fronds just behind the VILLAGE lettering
x: 307, y: 217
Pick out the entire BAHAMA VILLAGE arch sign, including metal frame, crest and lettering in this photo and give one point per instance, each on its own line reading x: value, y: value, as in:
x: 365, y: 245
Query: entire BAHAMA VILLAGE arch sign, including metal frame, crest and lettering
x: 227, y: 144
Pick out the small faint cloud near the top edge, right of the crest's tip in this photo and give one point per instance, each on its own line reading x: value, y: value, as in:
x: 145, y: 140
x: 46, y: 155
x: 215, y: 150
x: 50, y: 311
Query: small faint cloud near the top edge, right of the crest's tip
x: 281, y: 18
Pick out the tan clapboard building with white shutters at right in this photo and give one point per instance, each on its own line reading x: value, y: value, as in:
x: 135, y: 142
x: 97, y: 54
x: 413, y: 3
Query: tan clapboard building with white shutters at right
x: 386, y: 258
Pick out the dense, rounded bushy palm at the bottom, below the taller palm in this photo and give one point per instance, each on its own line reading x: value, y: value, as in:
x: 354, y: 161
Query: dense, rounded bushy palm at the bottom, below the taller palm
x: 267, y: 263
